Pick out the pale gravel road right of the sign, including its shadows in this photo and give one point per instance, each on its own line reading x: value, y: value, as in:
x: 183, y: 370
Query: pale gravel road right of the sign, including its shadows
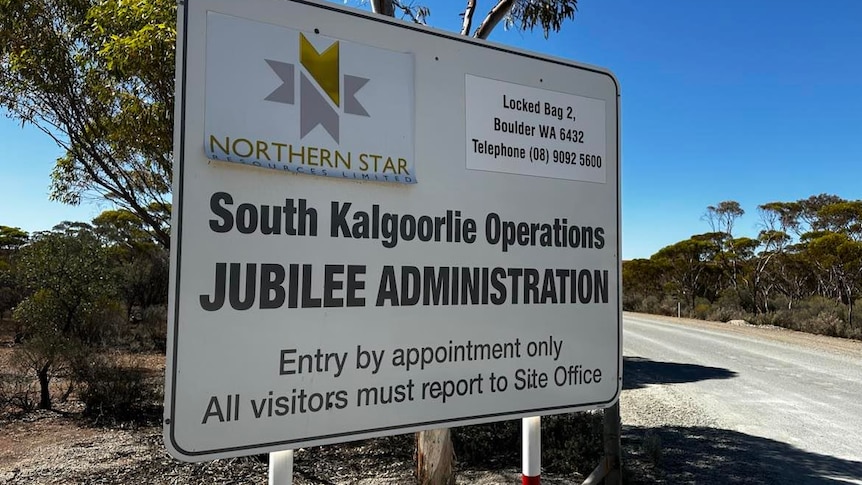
x: 718, y: 403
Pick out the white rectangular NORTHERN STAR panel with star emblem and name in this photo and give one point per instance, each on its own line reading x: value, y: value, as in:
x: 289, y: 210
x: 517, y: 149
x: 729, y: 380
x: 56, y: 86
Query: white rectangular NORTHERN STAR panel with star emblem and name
x: 288, y: 100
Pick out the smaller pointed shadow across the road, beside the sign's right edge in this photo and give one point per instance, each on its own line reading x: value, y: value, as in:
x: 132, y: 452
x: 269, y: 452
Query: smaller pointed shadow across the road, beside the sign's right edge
x: 639, y: 372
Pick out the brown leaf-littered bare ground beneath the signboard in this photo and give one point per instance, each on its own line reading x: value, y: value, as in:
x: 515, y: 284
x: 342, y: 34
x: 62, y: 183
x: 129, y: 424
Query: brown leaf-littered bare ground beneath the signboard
x: 49, y: 447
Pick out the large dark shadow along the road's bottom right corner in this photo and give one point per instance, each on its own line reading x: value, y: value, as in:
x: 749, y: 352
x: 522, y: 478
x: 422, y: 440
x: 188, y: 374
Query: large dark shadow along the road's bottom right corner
x: 701, y: 455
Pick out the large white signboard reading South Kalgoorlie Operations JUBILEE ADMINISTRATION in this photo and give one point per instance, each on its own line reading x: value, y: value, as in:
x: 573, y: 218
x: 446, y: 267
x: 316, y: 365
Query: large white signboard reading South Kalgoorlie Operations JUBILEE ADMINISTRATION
x: 381, y: 228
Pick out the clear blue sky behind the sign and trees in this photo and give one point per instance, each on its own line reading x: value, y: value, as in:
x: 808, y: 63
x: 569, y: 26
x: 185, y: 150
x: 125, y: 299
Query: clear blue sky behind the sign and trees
x: 753, y: 101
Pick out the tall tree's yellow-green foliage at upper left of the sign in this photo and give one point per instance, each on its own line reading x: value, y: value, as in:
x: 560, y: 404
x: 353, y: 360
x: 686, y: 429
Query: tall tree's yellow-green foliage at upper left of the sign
x: 98, y: 78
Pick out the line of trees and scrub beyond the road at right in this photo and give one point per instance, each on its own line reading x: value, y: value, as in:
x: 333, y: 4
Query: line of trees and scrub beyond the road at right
x: 802, y: 271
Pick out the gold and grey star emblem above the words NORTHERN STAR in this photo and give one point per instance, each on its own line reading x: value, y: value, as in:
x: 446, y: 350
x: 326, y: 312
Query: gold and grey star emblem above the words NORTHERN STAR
x: 322, y: 81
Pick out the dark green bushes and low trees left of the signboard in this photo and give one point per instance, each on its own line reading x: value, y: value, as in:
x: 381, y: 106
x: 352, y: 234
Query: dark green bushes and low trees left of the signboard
x: 72, y: 297
